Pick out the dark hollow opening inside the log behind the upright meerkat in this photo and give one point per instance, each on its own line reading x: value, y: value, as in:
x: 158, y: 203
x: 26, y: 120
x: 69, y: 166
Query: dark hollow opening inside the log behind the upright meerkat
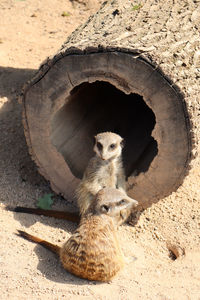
x: 97, y: 107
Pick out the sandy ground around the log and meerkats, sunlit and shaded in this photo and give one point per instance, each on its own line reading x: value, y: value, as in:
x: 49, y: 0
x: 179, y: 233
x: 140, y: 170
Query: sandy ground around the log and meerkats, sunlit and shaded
x: 29, y: 32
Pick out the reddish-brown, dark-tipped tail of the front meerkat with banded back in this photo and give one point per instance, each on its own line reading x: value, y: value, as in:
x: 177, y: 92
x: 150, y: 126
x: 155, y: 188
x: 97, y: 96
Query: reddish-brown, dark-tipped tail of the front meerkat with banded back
x: 53, y: 248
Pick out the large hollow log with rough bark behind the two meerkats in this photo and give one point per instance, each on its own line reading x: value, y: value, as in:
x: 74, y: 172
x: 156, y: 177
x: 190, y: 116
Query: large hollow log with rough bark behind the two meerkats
x: 130, y: 69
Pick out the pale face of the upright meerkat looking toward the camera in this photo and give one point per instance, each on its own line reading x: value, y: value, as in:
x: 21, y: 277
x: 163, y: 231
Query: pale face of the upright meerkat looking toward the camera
x: 108, y: 145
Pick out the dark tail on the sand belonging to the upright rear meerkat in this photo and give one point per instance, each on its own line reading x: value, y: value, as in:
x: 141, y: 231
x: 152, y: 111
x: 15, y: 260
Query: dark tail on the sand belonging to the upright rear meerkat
x: 65, y: 215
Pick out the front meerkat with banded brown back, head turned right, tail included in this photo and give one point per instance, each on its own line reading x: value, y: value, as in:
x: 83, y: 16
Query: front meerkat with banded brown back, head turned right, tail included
x: 93, y: 251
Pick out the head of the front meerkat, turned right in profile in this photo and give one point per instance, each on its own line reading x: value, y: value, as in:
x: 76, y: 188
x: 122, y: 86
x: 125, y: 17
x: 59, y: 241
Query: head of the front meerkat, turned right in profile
x: 114, y: 203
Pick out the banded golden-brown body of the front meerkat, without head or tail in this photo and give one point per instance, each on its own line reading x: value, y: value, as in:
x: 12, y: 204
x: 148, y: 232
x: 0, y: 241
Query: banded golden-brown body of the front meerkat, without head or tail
x: 93, y: 252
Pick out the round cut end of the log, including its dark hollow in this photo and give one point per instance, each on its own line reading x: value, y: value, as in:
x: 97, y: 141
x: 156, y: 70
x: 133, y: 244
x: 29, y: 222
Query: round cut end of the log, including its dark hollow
x: 87, y: 93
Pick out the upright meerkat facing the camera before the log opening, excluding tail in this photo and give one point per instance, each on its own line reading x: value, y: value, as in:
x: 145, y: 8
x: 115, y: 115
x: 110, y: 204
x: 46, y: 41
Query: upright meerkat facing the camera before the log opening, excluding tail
x: 105, y: 169
